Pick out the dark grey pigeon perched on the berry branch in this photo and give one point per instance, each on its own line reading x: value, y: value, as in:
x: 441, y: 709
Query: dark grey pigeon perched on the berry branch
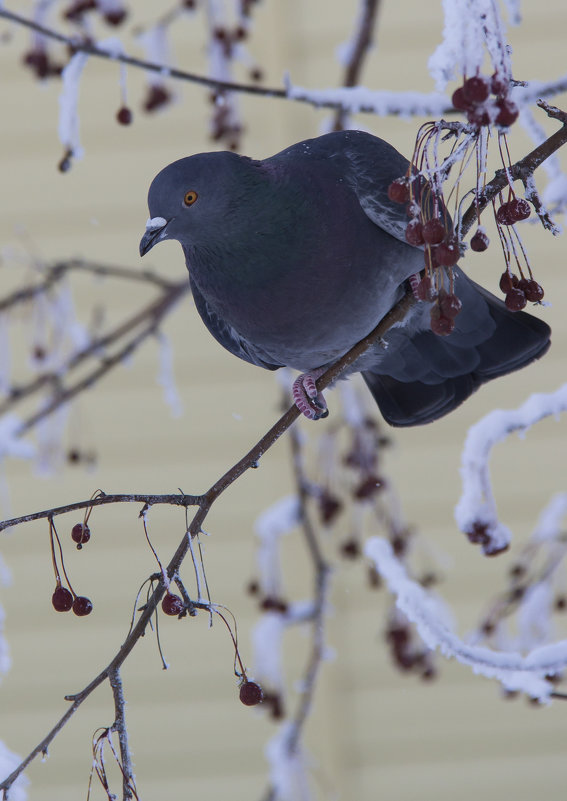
x: 294, y: 258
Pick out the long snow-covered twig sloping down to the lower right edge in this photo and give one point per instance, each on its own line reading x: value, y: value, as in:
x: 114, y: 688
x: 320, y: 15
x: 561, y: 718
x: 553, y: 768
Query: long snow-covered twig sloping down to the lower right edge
x: 514, y: 671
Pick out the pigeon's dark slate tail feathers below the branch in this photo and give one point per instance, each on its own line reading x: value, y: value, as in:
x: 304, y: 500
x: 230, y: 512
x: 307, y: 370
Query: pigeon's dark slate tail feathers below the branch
x: 517, y: 339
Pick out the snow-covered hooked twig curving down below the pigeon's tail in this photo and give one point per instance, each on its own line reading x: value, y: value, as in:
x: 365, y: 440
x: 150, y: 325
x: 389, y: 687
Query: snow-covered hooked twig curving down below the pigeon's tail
x: 476, y: 513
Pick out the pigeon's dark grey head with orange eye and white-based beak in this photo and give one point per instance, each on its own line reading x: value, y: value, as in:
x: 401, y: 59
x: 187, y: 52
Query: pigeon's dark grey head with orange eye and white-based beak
x: 193, y: 199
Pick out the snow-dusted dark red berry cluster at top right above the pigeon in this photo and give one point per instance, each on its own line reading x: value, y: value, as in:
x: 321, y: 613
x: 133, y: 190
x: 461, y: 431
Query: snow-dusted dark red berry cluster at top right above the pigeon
x: 474, y: 98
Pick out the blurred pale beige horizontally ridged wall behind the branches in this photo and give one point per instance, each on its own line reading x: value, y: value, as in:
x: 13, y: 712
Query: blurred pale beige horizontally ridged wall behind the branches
x: 373, y: 732
